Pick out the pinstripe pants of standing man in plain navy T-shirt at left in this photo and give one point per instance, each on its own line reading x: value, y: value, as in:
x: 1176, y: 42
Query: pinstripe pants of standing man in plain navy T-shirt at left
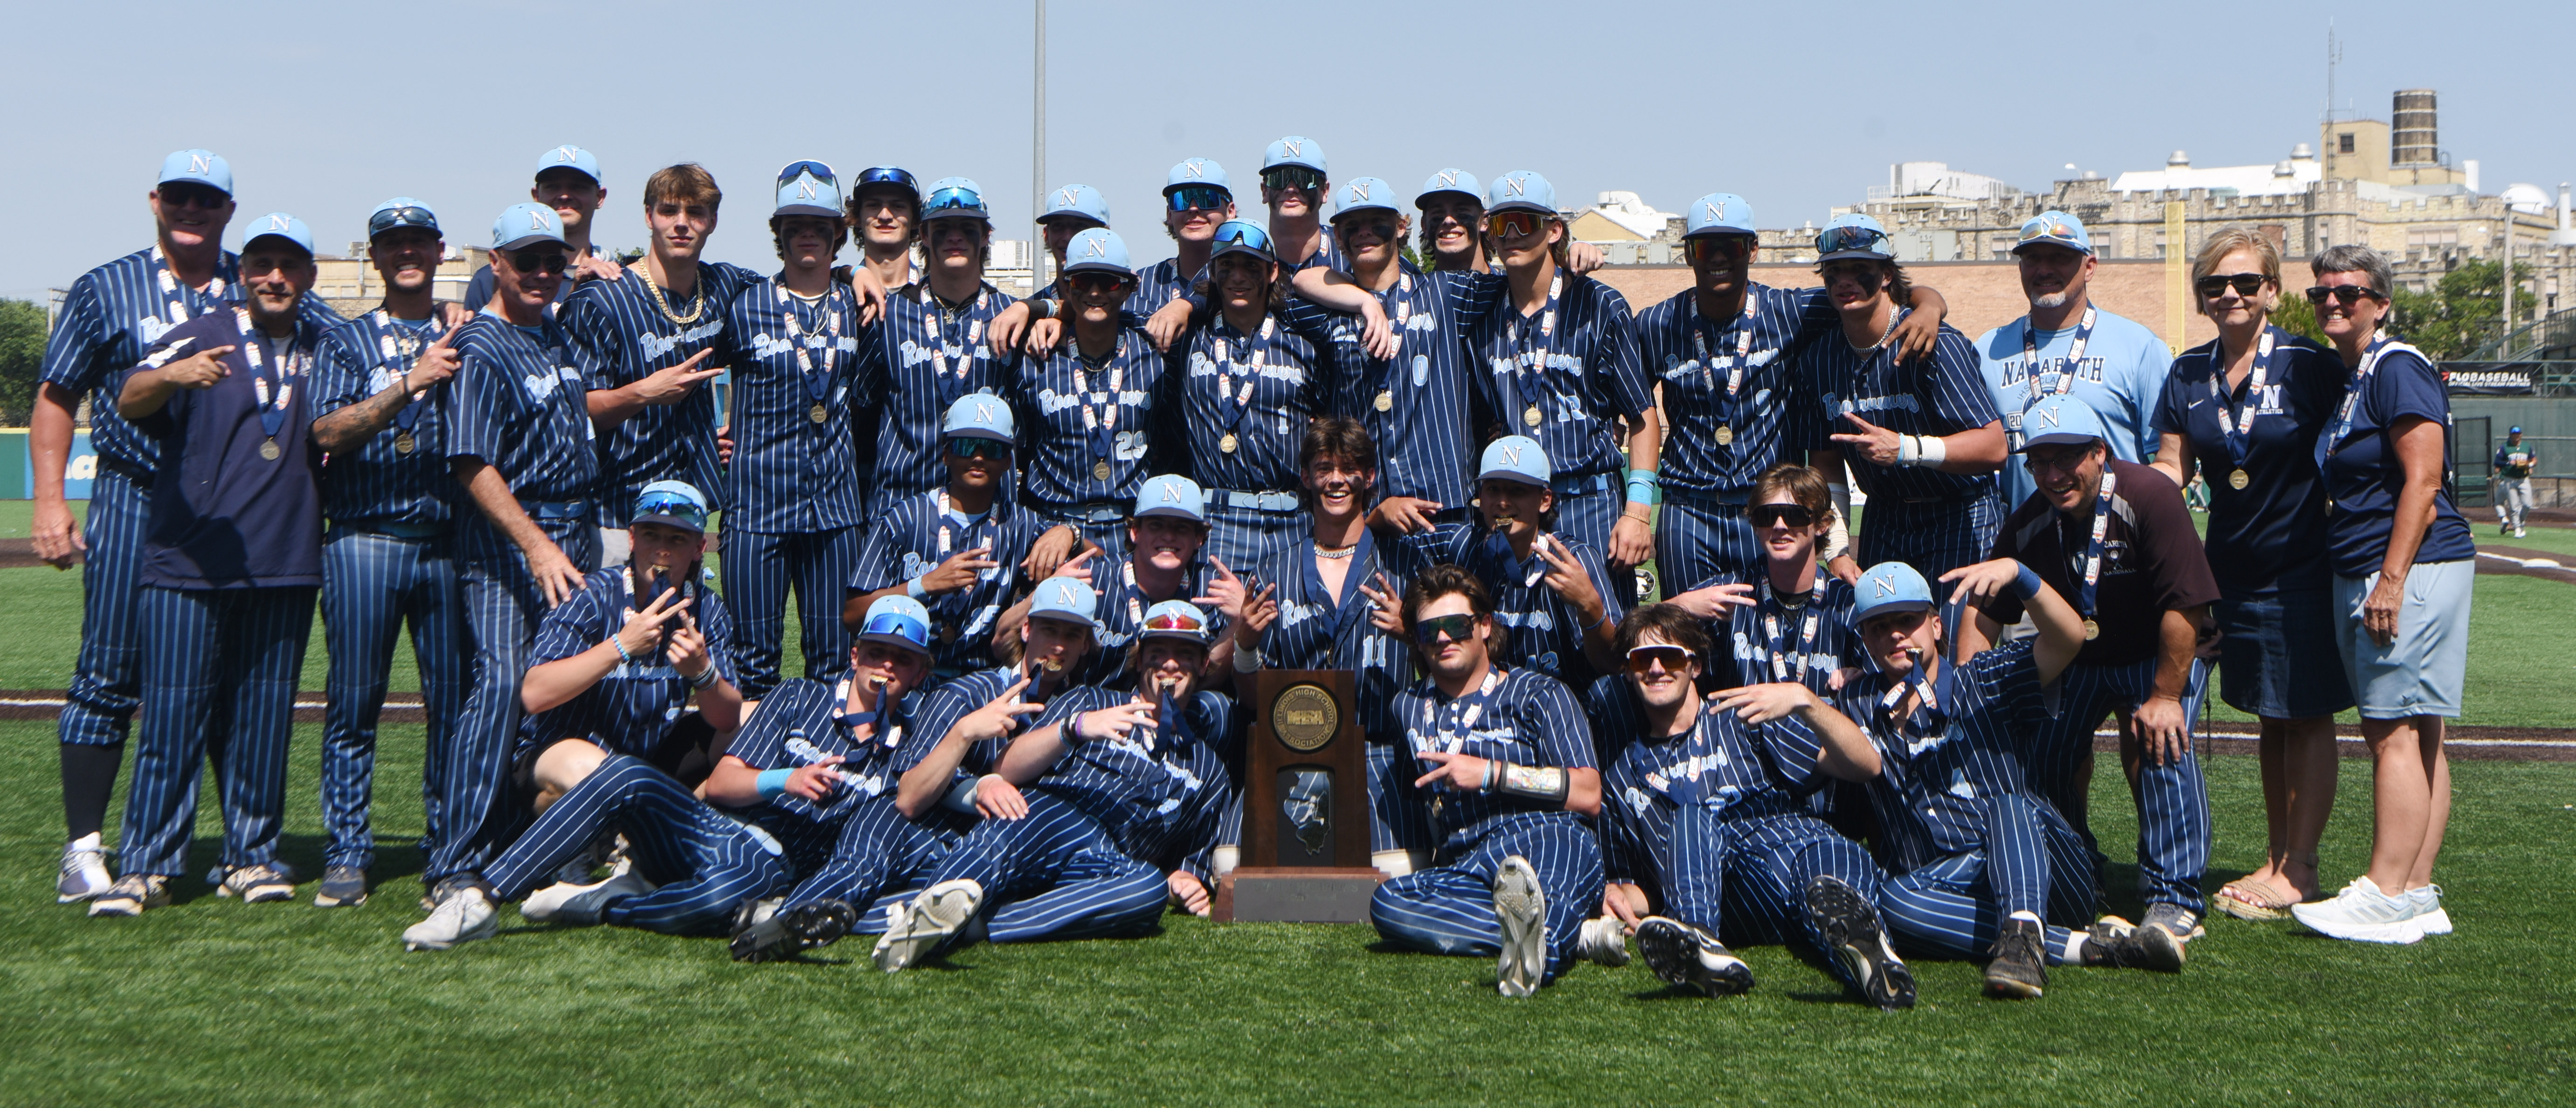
x: 220, y: 682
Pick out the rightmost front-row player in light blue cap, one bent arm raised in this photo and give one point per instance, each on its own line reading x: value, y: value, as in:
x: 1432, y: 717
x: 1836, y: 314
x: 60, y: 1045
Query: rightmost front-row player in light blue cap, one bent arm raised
x: 1977, y: 862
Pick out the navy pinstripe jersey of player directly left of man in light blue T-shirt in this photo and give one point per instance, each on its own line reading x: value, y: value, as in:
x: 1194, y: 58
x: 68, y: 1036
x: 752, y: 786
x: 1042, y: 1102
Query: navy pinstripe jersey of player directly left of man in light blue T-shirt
x: 1938, y: 396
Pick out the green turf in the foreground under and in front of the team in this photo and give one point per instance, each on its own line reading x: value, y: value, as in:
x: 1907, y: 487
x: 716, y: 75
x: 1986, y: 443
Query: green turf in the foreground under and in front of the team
x: 215, y: 1001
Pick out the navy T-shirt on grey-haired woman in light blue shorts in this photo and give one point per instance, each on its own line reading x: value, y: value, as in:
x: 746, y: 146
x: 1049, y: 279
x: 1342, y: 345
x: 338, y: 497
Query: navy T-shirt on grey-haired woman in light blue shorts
x: 2363, y: 475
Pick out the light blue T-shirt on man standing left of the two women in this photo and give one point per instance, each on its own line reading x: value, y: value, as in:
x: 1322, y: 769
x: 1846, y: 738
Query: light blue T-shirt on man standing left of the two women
x: 2121, y: 380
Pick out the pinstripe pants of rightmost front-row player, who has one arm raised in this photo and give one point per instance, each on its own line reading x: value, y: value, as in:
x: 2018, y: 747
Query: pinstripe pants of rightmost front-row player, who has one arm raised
x: 2034, y: 862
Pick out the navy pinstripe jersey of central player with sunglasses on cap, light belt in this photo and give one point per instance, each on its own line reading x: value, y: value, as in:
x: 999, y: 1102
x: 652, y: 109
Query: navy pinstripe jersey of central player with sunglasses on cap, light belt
x: 1289, y: 377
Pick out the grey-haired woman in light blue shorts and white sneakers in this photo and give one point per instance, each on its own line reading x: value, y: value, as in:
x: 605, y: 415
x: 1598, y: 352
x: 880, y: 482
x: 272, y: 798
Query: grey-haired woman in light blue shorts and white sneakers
x: 2402, y: 591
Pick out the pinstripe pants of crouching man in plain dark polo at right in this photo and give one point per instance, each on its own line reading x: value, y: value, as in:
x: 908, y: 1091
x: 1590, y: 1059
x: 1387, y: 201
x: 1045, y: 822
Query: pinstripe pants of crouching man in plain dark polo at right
x: 2173, y: 800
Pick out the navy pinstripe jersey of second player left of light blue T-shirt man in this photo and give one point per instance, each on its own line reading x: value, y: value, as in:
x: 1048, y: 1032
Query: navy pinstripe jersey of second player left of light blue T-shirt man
x: 1768, y: 421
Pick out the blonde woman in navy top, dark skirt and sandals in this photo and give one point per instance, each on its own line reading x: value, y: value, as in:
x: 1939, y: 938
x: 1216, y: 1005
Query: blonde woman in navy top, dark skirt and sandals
x: 2245, y: 414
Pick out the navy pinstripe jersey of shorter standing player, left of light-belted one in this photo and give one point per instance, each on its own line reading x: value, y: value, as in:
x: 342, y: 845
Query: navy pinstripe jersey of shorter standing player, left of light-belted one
x: 1065, y: 408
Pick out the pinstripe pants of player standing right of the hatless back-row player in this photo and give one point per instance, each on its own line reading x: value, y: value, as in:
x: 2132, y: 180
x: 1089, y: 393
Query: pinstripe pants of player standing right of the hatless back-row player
x: 759, y: 571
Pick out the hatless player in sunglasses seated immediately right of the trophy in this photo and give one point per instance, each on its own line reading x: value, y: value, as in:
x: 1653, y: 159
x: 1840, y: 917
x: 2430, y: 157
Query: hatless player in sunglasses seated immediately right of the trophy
x: 1508, y: 772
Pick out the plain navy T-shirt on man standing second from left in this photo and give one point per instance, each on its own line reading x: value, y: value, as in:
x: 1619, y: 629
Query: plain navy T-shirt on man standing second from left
x: 223, y: 514
